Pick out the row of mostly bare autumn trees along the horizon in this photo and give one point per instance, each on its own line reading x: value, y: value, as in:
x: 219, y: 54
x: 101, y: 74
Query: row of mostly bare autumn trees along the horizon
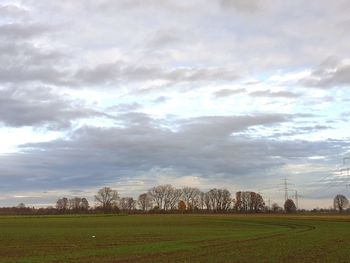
x: 169, y: 199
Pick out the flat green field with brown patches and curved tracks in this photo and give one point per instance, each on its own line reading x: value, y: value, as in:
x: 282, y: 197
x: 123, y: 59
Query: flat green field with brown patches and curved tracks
x: 175, y: 238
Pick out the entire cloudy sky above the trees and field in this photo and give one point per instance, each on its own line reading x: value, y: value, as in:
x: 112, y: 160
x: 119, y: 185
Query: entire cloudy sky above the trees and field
x: 129, y: 94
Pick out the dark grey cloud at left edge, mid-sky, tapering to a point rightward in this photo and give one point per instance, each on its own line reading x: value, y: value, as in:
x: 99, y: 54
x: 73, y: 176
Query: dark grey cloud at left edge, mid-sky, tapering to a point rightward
x: 38, y: 107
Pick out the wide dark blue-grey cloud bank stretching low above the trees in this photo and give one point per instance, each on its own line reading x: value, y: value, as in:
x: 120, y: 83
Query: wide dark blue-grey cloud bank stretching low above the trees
x: 100, y: 156
